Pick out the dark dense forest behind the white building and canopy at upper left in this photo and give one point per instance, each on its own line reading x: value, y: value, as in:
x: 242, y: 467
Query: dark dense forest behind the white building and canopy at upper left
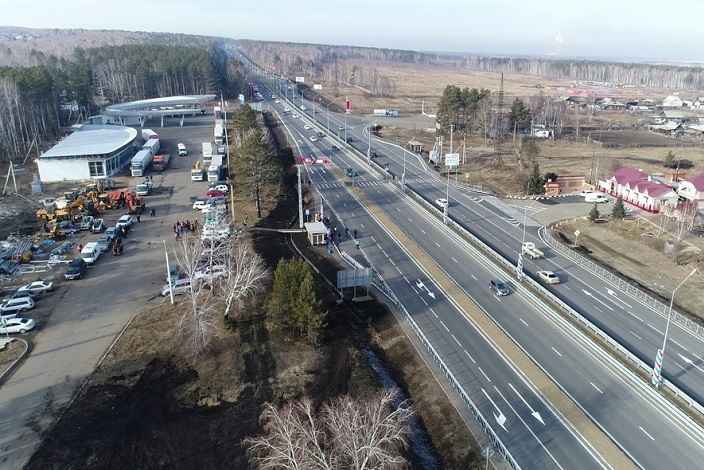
x: 35, y: 102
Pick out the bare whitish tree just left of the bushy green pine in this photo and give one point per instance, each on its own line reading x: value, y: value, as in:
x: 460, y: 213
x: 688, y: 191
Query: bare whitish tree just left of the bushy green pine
x: 246, y: 276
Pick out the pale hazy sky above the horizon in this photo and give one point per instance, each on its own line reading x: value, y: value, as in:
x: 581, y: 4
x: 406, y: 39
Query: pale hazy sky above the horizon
x: 618, y: 29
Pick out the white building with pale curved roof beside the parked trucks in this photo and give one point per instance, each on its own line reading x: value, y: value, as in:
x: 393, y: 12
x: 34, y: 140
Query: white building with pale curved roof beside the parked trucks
x: 92, y: 151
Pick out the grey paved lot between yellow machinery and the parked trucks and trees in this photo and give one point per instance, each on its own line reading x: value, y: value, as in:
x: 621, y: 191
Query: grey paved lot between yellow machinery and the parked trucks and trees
x: 86, y: 315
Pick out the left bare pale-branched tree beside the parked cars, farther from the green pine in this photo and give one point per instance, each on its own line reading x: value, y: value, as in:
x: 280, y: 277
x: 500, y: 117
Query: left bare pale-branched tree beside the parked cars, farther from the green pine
x: 198, y: 322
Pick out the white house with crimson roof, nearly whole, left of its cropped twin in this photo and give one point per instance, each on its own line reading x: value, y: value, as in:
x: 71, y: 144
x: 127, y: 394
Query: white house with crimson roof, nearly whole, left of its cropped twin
x: 638, y: 188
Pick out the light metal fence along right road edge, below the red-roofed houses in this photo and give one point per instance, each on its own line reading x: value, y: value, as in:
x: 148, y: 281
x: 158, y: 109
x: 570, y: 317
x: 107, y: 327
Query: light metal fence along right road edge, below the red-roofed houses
x: 624, y: 285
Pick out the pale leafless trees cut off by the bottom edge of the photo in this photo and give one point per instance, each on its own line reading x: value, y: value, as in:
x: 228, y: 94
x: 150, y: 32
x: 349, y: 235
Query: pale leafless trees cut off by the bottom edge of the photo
x: 366, y: 434
